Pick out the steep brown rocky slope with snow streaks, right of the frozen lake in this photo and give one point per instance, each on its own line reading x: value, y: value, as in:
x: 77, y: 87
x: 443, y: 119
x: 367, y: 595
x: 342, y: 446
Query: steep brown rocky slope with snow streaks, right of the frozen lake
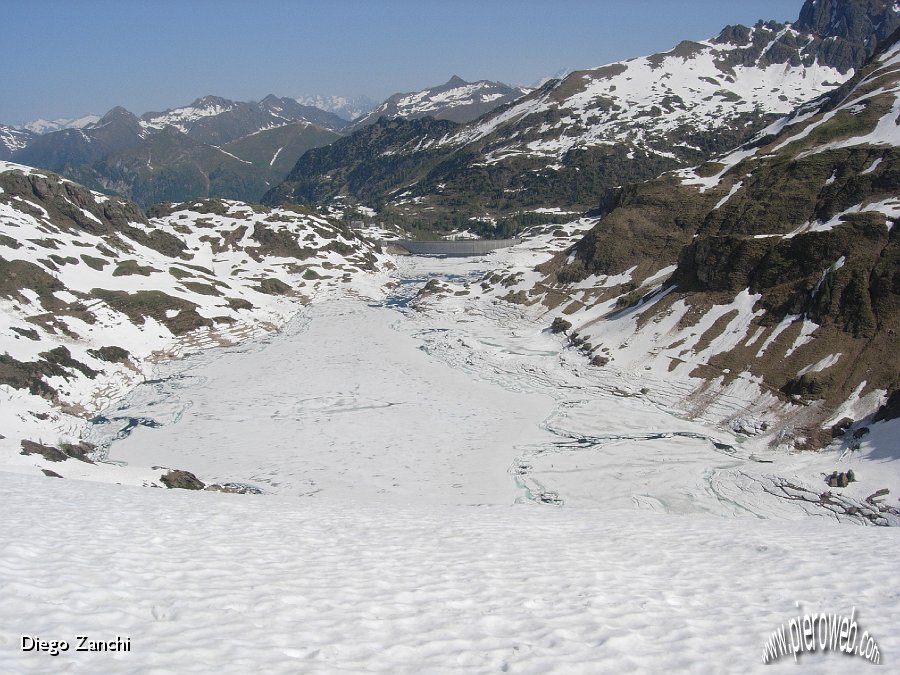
x: 760, y: 290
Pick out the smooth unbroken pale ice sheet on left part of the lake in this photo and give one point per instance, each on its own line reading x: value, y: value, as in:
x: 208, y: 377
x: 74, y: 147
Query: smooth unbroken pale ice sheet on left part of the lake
x: 341, y: 403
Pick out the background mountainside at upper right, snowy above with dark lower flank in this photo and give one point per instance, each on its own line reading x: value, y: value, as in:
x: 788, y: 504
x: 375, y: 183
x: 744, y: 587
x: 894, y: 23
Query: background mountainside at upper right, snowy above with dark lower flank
x: 568, y: 144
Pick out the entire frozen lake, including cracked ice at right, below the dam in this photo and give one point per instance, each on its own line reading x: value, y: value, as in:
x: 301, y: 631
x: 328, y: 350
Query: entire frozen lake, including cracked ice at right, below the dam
x: 373, y: 401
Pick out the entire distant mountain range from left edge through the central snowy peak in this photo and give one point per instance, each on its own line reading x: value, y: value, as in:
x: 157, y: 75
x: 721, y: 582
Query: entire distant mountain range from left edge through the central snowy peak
x: 215, y: 146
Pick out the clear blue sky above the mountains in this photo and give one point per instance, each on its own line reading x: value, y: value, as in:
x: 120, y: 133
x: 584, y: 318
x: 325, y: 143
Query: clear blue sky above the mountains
x: 63, y: 58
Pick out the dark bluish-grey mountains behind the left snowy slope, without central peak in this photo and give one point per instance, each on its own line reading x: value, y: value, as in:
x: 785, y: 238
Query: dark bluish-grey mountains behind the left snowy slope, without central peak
x: 162, y: 158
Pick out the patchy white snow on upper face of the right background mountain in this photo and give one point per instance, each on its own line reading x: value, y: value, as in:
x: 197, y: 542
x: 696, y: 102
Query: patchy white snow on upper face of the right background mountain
x: 641, y: 101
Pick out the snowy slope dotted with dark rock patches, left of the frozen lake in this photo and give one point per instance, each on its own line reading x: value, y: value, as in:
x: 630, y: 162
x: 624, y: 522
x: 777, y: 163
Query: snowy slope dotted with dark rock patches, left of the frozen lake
x: 93, y: 293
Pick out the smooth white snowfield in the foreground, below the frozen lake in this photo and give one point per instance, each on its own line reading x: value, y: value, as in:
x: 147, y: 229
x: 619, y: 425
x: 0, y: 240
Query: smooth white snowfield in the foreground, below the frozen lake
x: 229, y: 583
